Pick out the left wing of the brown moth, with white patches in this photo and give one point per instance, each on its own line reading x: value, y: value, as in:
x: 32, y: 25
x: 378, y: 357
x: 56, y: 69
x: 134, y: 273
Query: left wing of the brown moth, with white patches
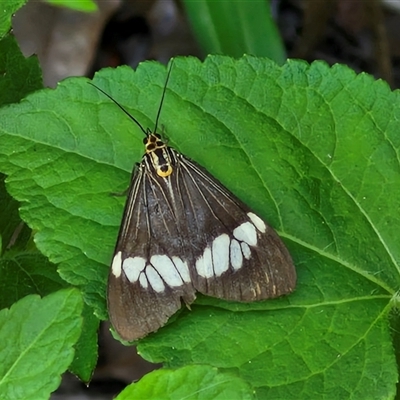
x: 146, y: 283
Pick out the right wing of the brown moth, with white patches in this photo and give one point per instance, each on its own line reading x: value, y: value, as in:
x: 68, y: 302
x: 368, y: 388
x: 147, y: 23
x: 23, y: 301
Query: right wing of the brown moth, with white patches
x: 214, y: 214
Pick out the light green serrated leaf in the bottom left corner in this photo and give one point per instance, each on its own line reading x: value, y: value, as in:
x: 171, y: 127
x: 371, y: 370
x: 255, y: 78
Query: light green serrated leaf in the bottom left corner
x: 41, y: 333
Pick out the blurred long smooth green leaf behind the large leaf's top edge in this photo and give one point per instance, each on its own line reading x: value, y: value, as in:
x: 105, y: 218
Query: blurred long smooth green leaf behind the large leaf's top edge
x: 235, y: 28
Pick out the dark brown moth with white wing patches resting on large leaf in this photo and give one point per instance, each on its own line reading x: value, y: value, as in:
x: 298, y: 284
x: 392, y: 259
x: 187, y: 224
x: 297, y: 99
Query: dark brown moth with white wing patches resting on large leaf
x: 183, y: 232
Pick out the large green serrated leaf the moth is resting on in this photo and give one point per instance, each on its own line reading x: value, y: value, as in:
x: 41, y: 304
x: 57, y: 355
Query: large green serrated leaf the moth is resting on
x: 313, y: 149
